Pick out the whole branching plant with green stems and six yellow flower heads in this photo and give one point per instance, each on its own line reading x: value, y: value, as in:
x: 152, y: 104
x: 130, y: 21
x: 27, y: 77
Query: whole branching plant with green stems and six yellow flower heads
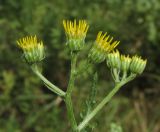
x: 123, y: 67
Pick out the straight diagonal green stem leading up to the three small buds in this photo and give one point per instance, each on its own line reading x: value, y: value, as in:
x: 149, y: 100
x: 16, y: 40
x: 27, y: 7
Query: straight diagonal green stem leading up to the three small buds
x: 84, y: 123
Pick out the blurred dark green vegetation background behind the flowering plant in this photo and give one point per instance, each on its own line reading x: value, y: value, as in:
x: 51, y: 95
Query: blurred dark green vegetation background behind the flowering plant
x: 26, y: 105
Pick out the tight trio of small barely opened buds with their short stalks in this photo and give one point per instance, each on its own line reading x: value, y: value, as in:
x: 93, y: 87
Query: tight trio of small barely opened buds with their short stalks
x: 124, y: 65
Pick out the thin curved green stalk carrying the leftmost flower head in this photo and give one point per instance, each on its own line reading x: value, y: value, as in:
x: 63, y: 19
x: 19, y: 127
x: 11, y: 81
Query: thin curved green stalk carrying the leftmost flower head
x: 49, y: 85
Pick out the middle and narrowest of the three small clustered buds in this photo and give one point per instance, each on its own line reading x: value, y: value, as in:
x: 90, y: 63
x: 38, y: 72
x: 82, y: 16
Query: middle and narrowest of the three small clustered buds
x: 125, y: 63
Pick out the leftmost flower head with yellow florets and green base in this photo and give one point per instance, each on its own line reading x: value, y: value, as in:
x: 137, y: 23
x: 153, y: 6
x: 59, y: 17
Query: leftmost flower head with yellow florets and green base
x: 32, y: 49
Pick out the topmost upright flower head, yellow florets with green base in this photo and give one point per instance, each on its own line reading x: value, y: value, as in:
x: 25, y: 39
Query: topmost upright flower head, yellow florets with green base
x: 75, y: 34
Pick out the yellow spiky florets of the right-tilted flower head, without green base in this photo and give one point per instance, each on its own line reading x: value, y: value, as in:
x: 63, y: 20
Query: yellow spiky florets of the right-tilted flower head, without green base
x: 105, y: 43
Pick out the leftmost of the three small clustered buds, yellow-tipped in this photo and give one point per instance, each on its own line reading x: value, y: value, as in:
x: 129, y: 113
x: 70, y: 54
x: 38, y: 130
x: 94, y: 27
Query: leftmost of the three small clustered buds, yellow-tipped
x: 113, y: 60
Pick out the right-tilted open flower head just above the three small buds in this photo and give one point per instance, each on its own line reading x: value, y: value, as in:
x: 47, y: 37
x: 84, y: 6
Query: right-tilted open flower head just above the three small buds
x: 102, y: 46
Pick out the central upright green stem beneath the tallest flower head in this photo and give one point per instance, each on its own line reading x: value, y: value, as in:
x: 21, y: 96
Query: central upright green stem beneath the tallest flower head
x: 68, y: 100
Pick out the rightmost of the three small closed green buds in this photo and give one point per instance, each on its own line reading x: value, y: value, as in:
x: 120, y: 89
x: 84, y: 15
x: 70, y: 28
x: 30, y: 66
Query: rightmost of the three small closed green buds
x: 137, y: 65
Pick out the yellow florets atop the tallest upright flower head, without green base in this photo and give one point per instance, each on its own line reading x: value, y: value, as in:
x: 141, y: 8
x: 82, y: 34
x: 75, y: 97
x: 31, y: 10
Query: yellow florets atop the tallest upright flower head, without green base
x: 75, y: 30
